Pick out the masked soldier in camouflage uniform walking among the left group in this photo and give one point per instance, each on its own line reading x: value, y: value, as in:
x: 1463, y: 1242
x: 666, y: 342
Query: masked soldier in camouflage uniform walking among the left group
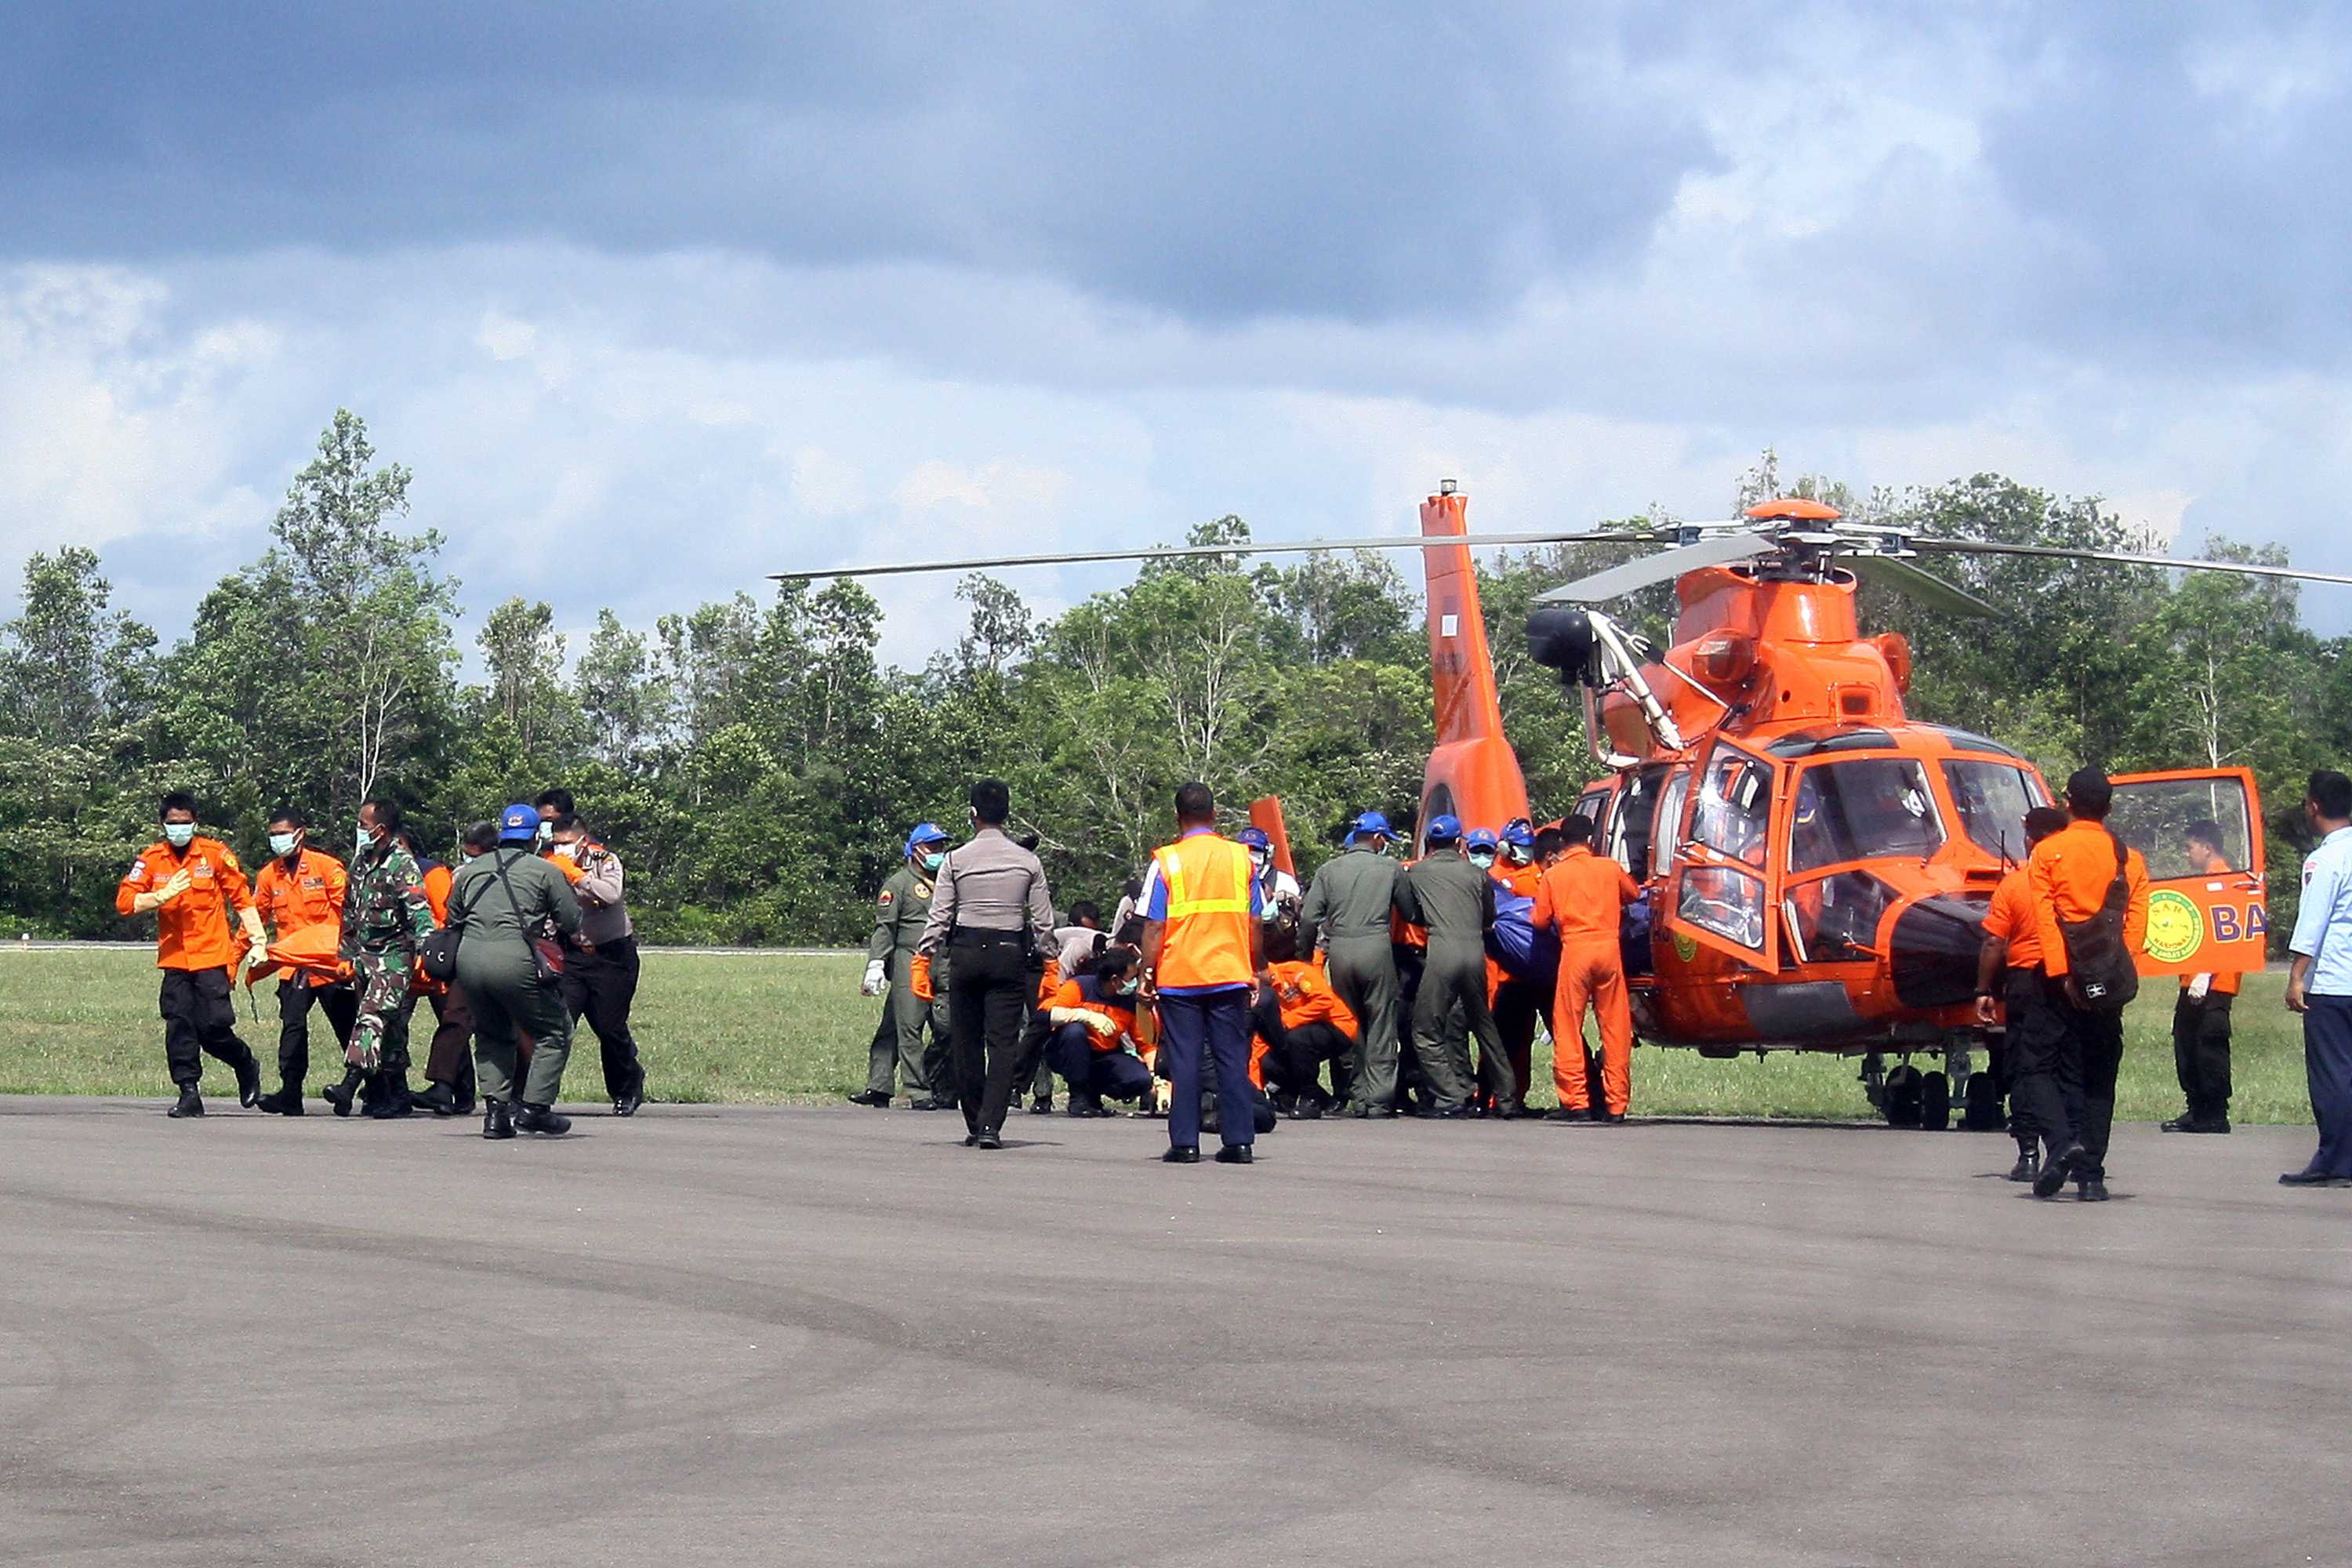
x: 385, y: 920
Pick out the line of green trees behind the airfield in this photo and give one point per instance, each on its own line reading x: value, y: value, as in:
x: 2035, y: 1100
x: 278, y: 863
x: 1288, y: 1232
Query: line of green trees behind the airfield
x: 759, y: 768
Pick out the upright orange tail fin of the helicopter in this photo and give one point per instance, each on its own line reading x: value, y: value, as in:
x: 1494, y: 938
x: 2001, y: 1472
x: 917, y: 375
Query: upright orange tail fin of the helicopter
x: 1474, y: 772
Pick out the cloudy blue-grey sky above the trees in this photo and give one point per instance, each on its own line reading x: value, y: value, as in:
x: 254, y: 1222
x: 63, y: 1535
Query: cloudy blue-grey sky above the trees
x: 657, y: 300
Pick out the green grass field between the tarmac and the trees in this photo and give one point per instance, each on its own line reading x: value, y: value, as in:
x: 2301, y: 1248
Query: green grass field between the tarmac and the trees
x: 770, y: 1028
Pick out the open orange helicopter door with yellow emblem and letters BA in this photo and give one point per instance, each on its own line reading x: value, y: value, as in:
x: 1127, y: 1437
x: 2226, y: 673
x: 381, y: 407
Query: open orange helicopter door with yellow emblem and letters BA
x: 2198, y: 923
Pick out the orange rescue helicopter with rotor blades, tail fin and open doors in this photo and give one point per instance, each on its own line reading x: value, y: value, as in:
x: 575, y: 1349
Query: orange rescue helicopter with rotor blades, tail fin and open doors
x: 1817, y: 864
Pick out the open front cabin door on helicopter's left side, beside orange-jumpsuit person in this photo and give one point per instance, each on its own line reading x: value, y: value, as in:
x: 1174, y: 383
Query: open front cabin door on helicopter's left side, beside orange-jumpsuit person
x: 1723, y: 883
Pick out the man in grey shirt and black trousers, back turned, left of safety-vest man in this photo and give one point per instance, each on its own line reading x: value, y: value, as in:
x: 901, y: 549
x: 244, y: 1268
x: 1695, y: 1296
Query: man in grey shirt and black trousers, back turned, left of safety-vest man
x: 996, y: 918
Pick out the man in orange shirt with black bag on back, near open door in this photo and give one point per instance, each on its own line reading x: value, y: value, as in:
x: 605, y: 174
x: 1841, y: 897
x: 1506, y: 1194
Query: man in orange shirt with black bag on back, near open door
x: 2071, y: 1087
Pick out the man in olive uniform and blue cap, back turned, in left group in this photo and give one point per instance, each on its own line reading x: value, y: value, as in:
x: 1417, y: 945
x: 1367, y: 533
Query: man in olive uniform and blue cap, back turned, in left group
x: 497, y: 904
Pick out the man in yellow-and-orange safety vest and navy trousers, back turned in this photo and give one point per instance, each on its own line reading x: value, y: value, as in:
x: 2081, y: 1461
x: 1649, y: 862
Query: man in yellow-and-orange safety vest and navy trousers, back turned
x: 1203, y: 942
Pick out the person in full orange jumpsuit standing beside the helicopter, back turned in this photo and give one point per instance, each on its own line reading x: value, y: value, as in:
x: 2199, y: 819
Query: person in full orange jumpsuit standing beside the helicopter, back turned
x: 1584, y: 899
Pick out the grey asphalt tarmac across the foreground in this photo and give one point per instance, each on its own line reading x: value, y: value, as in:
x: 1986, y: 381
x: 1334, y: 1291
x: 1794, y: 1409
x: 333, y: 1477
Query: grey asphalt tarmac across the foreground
x: 836, y: 1336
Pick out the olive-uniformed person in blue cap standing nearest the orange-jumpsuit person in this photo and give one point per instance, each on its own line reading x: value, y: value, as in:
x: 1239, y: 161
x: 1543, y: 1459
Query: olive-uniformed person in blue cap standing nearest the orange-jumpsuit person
x: 1455, y: 902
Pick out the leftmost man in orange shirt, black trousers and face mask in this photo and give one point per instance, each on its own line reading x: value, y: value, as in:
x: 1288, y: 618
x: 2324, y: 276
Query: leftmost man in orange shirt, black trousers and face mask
x: 189, y: 885
